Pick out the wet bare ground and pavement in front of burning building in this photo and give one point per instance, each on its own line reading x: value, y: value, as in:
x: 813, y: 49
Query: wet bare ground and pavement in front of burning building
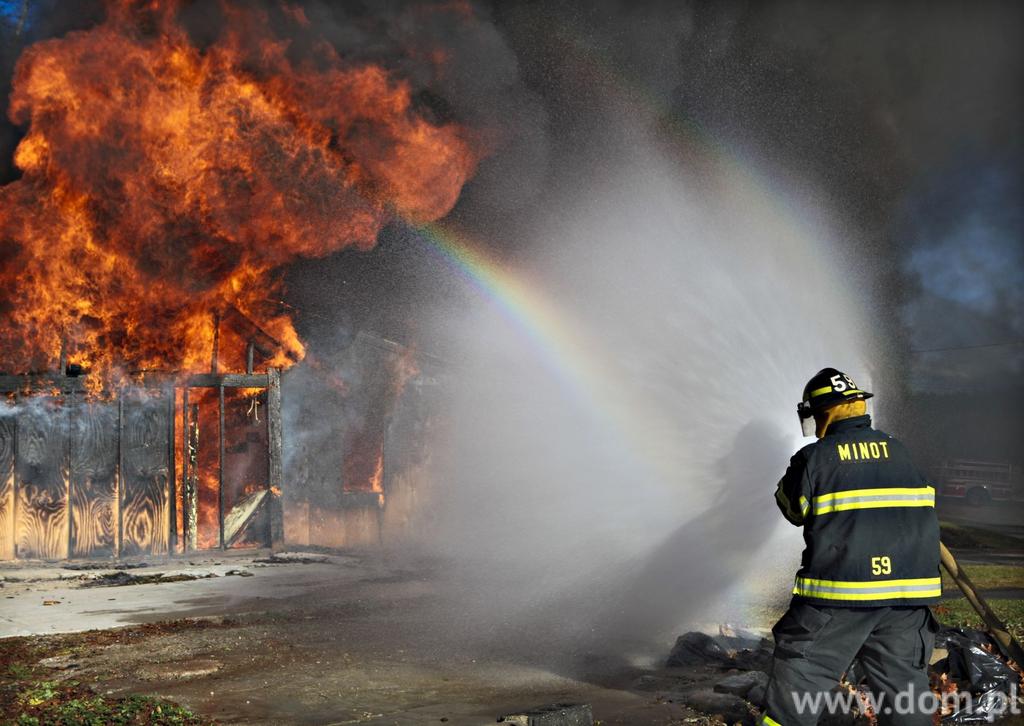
x: 342, y: 642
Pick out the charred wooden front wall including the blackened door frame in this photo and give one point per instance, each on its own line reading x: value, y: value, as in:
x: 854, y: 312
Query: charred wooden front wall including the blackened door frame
x: 82, y: 479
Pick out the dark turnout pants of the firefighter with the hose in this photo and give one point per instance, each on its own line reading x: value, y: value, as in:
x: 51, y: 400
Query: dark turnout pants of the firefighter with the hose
x: 816, y: 645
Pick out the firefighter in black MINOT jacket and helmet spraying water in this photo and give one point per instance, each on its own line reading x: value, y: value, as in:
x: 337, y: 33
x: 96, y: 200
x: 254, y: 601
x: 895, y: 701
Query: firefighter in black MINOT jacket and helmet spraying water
x: 870, y: 569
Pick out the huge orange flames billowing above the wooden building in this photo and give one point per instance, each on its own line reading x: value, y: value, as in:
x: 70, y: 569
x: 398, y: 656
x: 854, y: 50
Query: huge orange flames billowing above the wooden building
x: 163, y: 184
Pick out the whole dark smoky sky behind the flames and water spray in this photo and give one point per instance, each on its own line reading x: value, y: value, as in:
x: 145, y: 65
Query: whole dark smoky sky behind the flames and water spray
x: 907, y: 117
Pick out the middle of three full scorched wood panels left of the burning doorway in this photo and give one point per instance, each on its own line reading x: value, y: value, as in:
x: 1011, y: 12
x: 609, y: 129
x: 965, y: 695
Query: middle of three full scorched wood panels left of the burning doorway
x: 94, y: 480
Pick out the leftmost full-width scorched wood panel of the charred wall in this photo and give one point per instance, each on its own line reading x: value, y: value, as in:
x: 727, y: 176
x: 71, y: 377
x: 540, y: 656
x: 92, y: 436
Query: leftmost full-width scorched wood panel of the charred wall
x: 40, y: 482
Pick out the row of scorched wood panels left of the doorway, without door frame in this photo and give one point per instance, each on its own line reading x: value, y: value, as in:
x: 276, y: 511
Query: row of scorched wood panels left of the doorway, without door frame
x: 83, y: 480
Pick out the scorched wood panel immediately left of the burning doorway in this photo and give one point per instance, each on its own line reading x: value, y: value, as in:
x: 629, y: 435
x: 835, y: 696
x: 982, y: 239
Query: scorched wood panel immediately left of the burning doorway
x: 145, y: 471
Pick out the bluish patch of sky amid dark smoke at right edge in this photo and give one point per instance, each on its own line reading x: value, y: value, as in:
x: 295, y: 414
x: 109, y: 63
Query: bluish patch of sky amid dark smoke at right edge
x: 966, y: 230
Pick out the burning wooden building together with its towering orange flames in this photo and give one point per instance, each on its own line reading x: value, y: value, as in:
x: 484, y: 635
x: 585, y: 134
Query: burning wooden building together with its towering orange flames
x: 166, y: 182
